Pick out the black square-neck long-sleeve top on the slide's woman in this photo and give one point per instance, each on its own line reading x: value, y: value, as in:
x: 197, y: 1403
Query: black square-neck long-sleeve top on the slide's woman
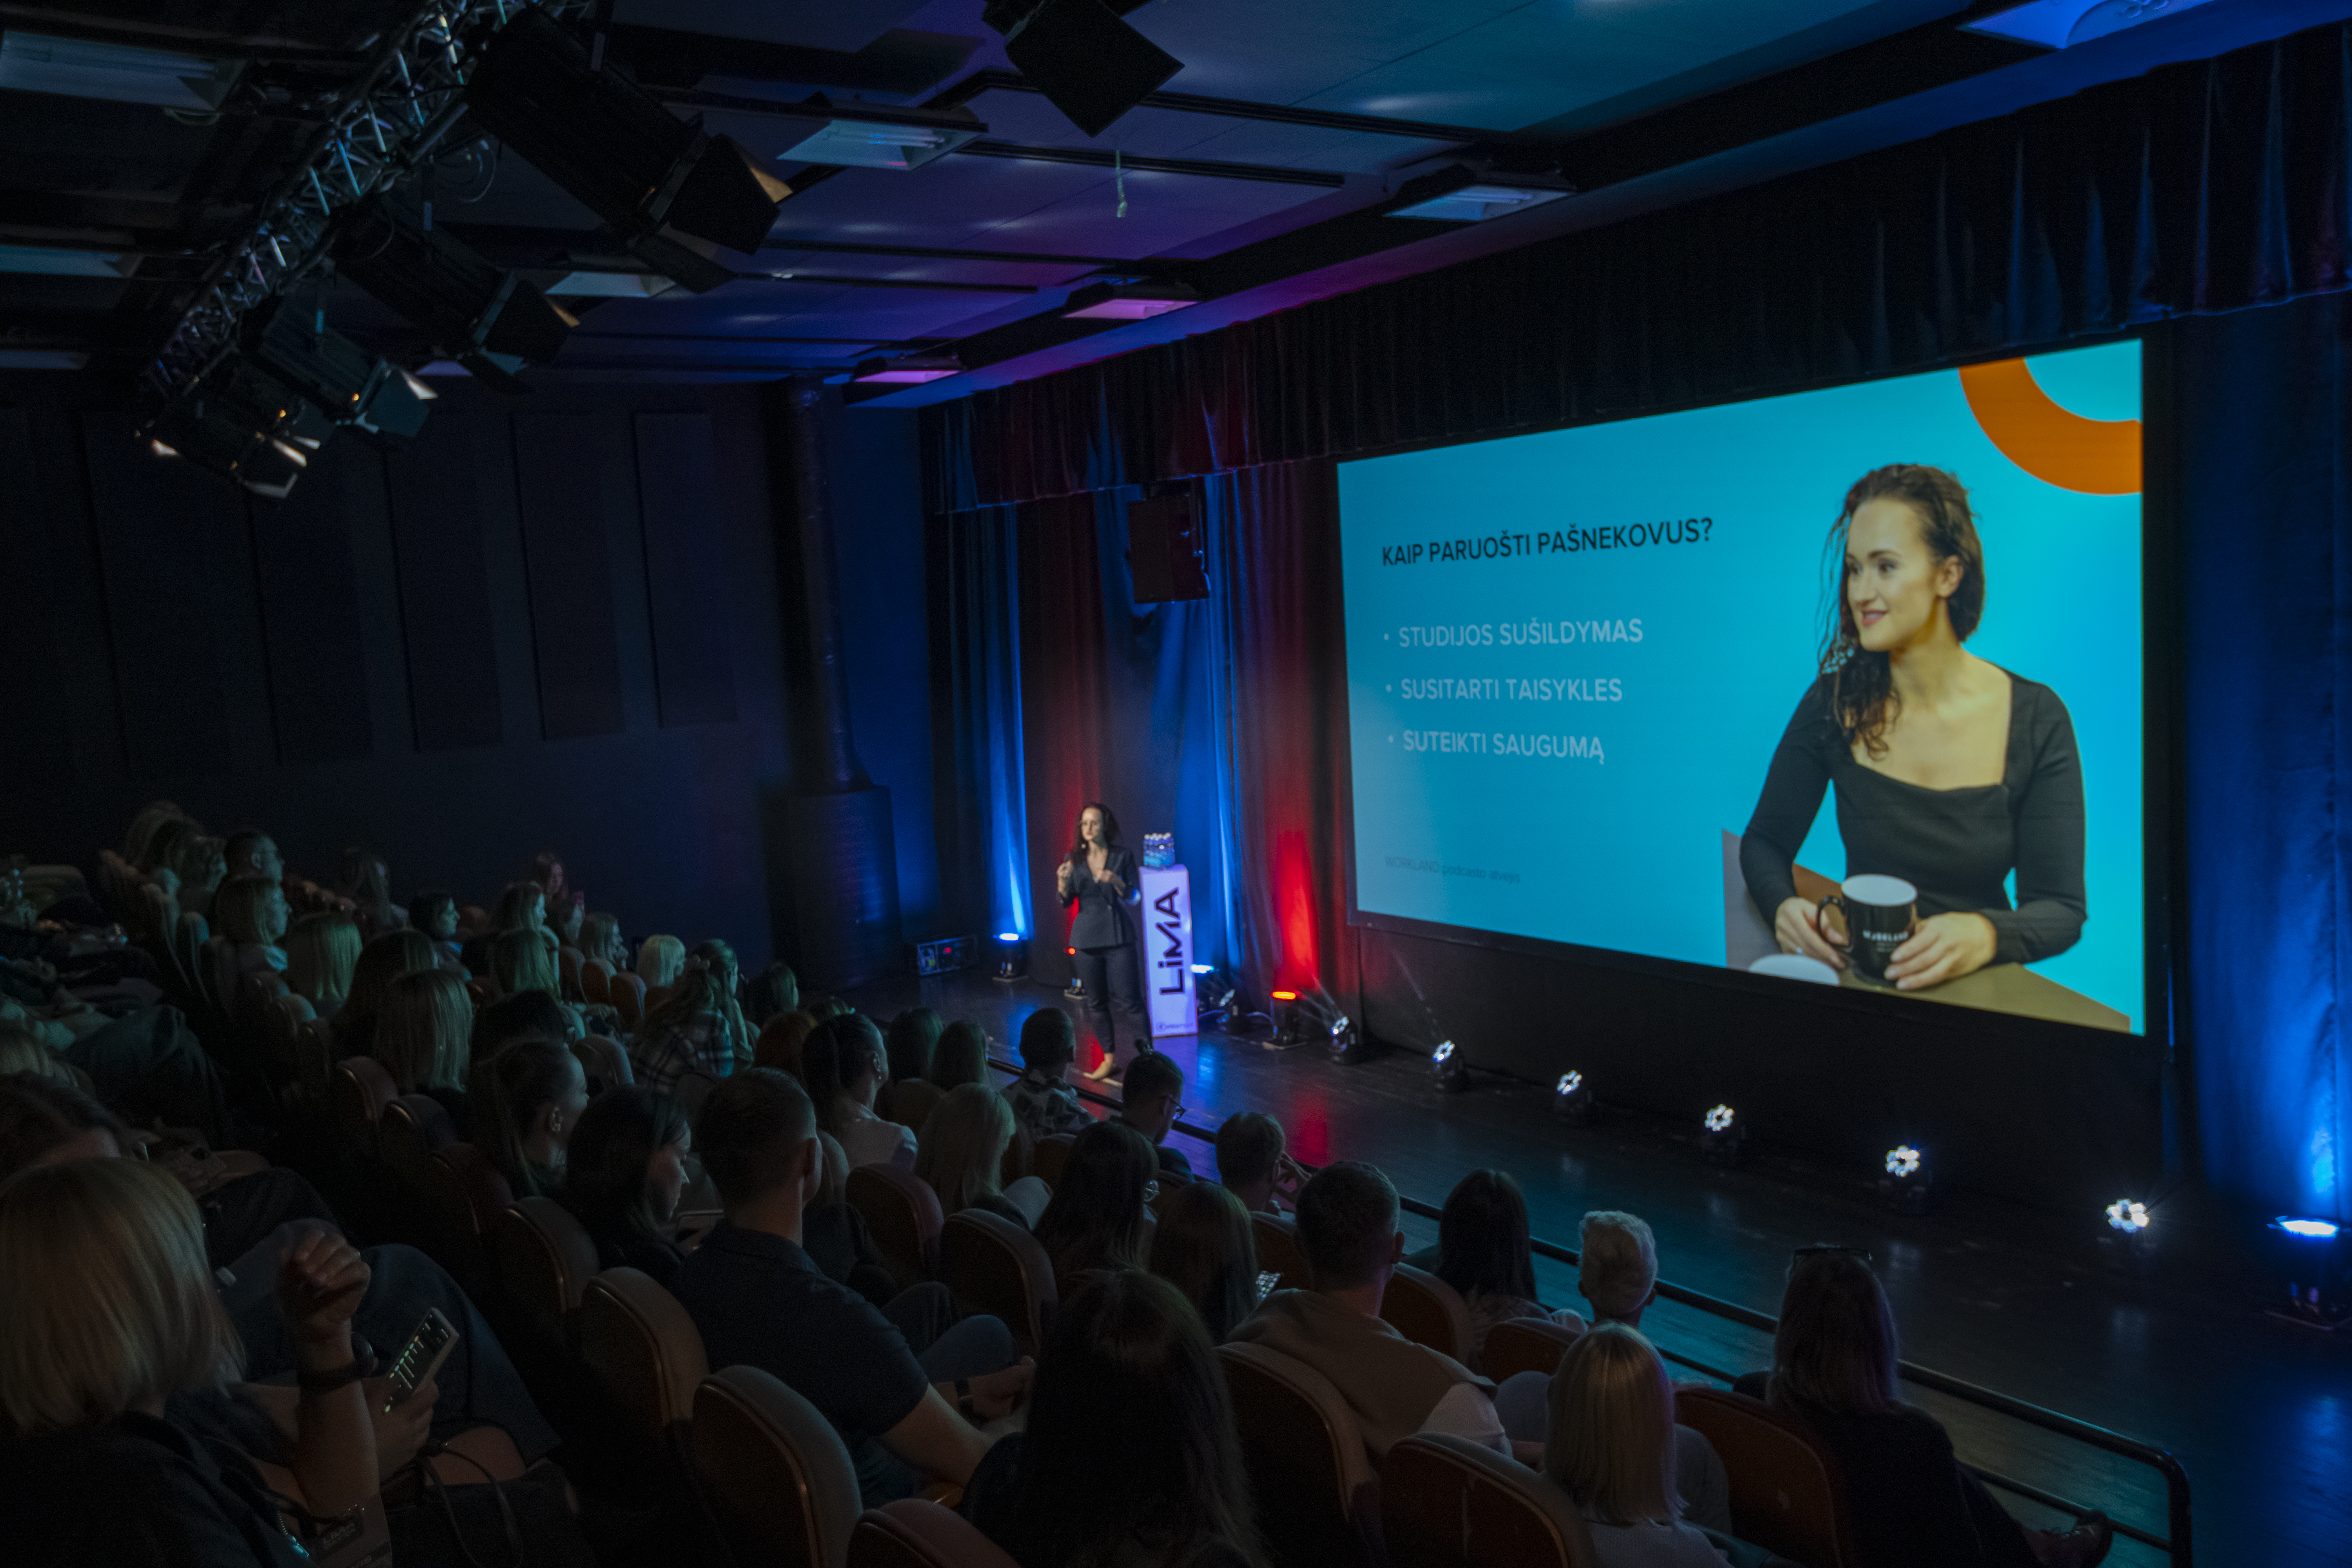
x: 1958, y: 847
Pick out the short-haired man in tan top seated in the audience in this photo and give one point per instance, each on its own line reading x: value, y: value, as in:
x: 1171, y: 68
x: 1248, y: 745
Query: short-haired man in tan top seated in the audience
x: 1351, y: 1245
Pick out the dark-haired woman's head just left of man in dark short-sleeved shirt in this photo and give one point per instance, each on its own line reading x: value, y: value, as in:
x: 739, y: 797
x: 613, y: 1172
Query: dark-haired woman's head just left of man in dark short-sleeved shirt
x: 624, y: 1172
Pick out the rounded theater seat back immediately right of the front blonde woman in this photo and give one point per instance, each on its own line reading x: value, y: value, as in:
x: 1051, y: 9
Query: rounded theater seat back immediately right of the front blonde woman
x: 1786, y: 1492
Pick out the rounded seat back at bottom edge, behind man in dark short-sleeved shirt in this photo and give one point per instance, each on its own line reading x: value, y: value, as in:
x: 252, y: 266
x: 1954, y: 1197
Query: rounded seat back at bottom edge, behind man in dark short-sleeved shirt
x: 773, y: 1470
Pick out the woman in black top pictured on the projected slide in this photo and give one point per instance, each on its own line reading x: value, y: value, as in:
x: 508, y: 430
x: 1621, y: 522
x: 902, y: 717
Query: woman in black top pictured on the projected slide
x: 1951, y: 772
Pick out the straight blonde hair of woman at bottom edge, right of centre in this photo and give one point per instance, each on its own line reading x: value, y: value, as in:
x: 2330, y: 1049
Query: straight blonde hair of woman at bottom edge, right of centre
x: 1612, y: 1442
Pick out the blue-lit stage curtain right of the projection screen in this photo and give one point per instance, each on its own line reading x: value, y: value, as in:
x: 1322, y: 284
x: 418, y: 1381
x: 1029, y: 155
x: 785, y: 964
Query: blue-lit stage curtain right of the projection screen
x: 2266, y: 500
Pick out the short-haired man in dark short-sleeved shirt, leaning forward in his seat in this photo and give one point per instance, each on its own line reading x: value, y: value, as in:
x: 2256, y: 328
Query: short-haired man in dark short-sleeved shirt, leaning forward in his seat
x: 759, y: 1301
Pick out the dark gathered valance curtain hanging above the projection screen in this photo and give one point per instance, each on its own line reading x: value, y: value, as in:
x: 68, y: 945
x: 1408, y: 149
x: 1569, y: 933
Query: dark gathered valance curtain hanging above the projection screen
x: 2196, y: 189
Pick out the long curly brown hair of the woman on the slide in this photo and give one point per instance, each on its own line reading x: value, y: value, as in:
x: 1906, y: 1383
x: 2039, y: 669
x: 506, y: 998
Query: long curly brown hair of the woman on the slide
x: 1862, y: 683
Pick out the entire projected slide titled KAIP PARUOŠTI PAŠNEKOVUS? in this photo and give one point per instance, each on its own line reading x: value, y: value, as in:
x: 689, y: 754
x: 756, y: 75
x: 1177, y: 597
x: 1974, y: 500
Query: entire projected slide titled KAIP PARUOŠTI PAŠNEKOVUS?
x: 1838, y: 688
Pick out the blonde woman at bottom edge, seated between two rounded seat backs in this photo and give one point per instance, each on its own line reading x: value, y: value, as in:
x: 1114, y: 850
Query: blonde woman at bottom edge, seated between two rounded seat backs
x: 1612, y: 1452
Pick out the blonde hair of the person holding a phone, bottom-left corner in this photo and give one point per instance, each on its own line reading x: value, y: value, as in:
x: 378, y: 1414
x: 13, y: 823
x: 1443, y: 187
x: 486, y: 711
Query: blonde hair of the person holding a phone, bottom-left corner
x: 105, y: 1296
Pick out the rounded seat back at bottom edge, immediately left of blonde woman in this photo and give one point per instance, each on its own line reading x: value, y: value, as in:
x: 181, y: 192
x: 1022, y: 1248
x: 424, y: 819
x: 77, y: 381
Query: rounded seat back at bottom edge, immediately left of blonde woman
x: 1448, y: 1503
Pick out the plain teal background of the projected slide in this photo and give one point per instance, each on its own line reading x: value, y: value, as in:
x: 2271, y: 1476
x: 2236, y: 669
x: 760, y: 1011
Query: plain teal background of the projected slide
x: 1626, y: 852
